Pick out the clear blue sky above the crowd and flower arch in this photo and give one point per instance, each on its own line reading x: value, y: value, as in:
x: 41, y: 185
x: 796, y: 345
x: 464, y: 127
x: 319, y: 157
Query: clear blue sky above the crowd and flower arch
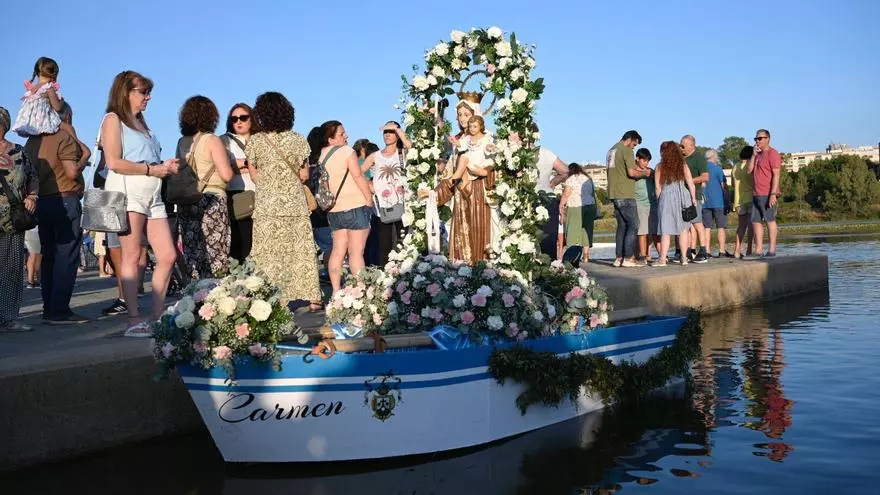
x: 807, y: 70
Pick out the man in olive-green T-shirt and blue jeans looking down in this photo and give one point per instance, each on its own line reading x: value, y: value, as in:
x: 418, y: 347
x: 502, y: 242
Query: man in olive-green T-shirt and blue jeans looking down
x: 622, y: 175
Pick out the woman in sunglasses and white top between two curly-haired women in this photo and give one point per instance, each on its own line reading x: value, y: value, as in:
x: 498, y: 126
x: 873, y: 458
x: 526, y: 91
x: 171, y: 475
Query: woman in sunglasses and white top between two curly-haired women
x: 239, y: 127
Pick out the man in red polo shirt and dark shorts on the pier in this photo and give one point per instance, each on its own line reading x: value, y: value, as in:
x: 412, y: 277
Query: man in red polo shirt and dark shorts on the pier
x: 764, y: 167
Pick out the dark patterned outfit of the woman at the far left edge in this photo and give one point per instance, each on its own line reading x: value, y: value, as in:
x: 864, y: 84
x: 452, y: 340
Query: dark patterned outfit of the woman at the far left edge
x: 22, y: 178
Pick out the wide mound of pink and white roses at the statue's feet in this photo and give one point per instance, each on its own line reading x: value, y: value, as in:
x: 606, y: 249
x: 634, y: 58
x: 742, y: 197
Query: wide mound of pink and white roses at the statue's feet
x: 485, y: 303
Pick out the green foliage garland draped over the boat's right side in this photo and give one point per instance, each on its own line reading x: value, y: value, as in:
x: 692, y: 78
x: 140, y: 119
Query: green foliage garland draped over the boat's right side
x: 550, y: 379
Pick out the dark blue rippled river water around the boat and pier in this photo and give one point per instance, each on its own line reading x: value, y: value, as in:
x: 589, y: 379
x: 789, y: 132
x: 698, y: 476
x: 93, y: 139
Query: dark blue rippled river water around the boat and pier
x: 786, y: 399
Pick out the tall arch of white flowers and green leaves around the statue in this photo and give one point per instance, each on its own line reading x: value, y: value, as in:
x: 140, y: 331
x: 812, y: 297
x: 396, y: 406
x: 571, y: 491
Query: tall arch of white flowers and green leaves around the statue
x: 509, y: 65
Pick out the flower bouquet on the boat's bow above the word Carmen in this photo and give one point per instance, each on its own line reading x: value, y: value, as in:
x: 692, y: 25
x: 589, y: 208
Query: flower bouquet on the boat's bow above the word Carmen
x: 217, y: 321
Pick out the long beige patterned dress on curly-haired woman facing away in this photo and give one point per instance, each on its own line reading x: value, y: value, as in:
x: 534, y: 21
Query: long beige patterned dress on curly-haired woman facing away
x: 284, y: 247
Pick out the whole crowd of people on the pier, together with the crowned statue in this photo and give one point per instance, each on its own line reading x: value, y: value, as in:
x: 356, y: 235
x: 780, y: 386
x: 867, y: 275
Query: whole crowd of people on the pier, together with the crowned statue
x: 263, y: 191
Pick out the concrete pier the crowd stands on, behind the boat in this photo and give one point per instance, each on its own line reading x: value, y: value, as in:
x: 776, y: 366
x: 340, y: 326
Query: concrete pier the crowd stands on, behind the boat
x: 66, y: 391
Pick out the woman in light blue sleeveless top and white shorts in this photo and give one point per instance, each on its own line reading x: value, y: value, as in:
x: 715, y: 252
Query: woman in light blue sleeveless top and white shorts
x: 132, y: 154
